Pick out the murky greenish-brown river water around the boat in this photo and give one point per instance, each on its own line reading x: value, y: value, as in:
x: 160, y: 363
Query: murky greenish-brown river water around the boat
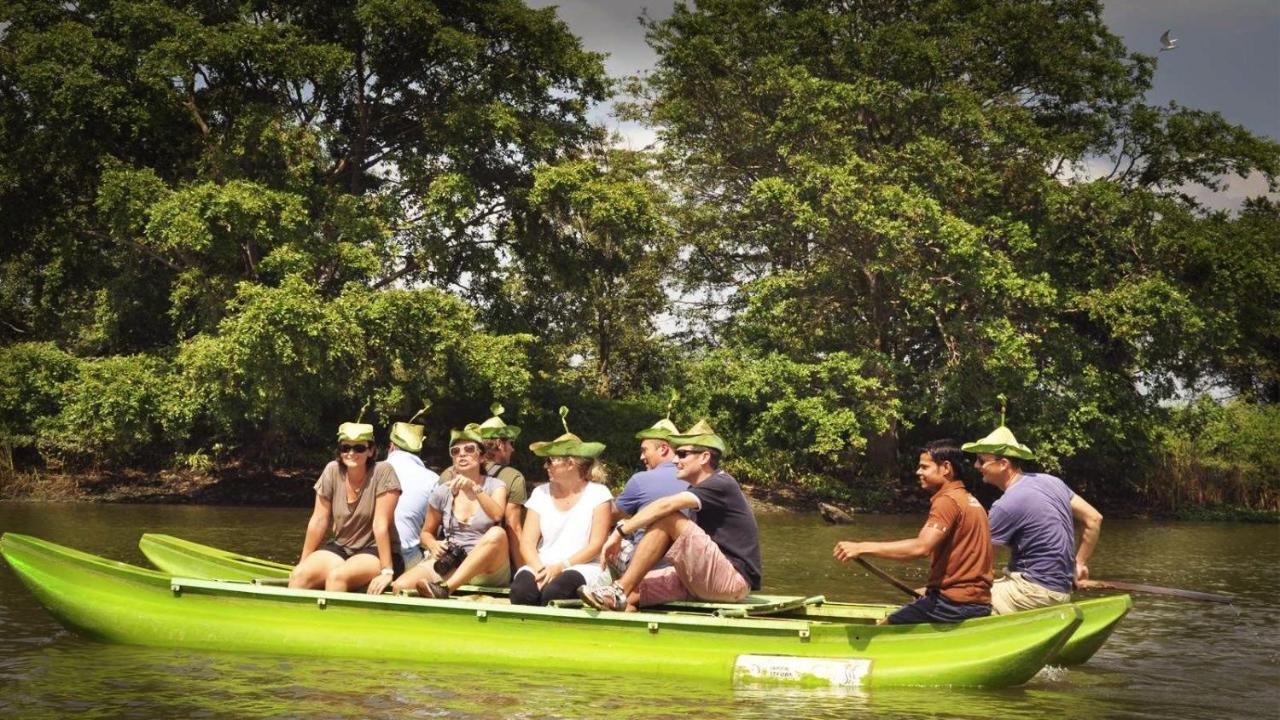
x: 1169, y: 658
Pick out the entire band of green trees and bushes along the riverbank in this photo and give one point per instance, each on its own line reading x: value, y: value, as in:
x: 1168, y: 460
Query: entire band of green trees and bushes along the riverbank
x: 230, y: 227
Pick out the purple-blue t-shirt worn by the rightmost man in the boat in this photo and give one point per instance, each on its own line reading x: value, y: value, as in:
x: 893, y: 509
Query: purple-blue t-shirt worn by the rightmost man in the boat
x: 1034, y: 520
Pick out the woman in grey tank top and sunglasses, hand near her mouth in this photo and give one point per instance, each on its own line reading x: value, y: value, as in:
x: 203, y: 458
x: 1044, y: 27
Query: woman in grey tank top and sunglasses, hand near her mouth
x: 469, y: 509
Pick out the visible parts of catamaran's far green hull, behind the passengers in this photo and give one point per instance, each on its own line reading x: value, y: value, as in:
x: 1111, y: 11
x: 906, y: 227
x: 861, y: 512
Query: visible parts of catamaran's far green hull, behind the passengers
x: 194, y: 560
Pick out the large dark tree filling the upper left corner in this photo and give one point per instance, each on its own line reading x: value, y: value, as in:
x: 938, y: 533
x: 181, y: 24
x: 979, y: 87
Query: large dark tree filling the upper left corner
x: 157, y: 153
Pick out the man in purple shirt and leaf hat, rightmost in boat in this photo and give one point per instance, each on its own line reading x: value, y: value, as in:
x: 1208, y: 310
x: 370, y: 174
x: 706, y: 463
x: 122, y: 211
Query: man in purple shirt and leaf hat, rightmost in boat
x: 1034, y: 520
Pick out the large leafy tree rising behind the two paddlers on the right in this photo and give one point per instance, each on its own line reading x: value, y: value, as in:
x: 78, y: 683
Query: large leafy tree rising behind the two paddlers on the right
x: 893, y: 183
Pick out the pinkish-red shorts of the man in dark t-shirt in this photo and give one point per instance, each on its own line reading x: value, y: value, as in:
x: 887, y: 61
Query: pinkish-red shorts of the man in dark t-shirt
x: 698, y: 571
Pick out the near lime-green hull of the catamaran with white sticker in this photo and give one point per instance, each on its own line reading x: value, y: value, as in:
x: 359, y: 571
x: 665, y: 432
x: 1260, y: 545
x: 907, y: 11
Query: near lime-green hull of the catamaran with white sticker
x: 120, y: 603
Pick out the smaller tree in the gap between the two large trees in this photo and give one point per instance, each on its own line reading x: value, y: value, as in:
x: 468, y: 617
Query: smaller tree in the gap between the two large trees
x: 597, y: 286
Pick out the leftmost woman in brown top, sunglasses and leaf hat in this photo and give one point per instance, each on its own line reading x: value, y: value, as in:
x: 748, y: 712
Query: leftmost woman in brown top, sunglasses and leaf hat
x: 356, y: 502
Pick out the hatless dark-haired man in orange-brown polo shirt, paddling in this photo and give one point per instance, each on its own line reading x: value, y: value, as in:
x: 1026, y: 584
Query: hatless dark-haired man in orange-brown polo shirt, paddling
x: 956, y: 536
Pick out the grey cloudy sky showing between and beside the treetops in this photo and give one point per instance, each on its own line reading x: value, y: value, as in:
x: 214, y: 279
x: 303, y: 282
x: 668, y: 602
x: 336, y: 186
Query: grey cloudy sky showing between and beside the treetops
x: 1228, y: 58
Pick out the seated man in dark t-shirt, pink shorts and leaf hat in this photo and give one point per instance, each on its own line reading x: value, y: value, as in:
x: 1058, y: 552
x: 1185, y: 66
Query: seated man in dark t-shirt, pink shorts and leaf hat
x: 715, y: 558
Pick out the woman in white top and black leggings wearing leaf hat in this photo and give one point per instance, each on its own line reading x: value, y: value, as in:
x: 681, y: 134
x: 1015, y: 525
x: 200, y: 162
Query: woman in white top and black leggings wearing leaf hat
x: 566, y: 525
